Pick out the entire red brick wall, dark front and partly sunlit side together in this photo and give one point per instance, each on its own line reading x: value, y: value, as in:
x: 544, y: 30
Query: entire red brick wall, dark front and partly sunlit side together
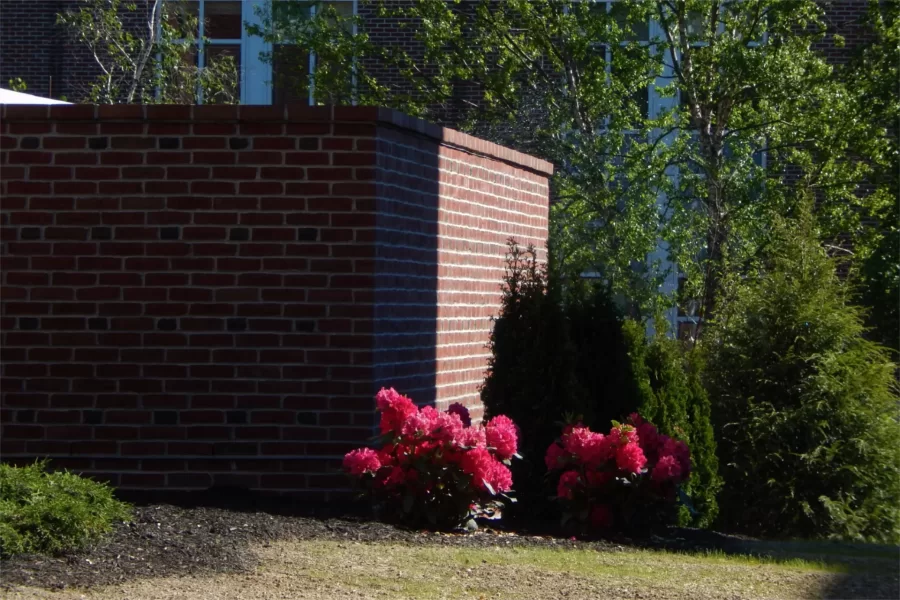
x: 210, y: 296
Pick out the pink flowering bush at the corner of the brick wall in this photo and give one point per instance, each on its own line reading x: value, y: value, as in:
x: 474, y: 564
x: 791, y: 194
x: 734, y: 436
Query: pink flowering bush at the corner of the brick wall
x: 436, y: 467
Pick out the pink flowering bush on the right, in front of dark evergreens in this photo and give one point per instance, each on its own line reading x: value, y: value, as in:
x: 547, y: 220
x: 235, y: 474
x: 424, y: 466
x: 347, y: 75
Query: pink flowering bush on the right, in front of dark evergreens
x: 627, y: 478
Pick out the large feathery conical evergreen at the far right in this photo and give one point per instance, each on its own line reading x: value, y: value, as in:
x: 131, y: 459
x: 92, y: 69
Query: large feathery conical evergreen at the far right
x: 805, y: 407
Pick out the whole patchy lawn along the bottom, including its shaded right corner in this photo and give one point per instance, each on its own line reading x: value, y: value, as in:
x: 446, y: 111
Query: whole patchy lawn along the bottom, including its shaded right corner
x: 331, y: 570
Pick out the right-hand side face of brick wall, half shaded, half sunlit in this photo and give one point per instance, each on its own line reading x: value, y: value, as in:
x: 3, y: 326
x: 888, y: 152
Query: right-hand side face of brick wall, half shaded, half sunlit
x: 441, y: 213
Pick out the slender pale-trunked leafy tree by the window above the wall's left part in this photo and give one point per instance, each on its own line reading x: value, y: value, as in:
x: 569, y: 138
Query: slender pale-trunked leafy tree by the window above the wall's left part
x: 146, y: 54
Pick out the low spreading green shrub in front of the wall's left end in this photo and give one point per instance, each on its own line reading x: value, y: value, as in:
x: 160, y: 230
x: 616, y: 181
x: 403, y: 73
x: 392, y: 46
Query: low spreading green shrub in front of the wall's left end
x: 50, y: 513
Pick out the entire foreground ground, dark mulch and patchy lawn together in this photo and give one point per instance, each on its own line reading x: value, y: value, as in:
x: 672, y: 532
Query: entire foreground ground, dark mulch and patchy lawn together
x: 170, y: 552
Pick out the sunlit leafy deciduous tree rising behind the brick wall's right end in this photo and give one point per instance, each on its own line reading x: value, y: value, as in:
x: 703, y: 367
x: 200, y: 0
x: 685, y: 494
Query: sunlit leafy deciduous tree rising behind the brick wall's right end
x: 639, y: 195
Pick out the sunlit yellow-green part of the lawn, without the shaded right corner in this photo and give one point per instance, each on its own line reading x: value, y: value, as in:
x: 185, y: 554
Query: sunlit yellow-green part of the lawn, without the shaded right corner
x: 435, y: 572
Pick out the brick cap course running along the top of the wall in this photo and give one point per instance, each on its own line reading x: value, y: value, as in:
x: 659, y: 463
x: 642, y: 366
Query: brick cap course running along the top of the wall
x: 284, y: 113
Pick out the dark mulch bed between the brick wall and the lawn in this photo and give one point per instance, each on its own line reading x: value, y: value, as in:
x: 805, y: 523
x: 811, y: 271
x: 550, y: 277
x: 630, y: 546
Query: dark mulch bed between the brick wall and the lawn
x: 164, y: 540
